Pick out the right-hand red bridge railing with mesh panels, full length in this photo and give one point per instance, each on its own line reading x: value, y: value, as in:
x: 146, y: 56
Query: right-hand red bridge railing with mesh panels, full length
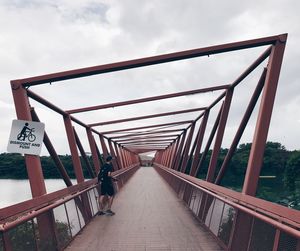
x: 237, y: 221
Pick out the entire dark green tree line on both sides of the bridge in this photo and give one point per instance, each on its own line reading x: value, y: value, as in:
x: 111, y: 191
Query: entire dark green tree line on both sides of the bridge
x: 279, y: 182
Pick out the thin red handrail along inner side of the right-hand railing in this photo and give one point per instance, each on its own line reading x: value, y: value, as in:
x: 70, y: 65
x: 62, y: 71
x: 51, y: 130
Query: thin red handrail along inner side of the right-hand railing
x: 278, y: 223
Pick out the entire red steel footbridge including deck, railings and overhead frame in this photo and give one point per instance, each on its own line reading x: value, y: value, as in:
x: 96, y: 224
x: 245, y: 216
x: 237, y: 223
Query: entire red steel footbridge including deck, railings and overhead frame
x: 164, y: 206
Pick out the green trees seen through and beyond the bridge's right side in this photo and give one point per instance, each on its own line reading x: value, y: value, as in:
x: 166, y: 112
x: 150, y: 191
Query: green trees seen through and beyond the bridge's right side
x: 279, y: 177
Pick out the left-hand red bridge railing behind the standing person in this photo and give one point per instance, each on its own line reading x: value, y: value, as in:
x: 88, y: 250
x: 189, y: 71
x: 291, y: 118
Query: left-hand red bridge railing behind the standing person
x: 19, y: 223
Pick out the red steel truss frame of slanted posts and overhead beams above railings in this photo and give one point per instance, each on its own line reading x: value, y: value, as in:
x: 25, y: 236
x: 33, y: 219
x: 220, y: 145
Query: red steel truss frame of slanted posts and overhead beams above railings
x: 176, y: 152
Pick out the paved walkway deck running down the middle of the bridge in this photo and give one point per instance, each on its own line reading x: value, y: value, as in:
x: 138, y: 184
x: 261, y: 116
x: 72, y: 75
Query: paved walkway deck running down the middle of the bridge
x: 149, y: 216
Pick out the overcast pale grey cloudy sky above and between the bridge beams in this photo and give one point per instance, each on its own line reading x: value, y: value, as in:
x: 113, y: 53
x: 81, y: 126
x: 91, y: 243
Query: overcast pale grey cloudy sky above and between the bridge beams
x: 39, y: 37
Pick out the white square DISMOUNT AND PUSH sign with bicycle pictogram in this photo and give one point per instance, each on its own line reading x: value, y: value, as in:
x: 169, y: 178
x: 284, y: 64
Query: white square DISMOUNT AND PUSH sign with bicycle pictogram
x: 26, y: 137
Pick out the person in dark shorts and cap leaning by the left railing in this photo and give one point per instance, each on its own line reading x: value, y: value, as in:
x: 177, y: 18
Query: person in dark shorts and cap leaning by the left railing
x: 105, y: 181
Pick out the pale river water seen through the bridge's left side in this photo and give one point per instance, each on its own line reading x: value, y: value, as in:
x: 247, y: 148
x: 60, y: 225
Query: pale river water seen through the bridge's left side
x: 15, y: 191
